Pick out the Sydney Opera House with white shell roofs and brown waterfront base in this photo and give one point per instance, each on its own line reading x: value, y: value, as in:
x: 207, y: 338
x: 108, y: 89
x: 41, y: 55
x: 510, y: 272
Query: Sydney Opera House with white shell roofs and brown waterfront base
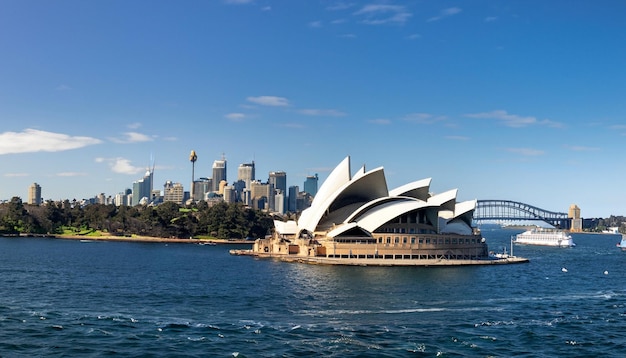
x: 356, y: 219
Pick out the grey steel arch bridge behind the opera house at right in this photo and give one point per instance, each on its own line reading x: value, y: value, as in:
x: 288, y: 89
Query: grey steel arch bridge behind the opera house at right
x: 512, y: 211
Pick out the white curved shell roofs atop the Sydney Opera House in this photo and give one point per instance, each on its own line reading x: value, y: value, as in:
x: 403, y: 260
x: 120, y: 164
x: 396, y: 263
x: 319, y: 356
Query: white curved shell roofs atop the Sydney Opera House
x: 363, y: 202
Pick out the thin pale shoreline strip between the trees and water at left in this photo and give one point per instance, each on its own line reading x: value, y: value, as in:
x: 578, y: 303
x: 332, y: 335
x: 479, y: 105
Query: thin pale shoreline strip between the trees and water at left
x: 134, y: 238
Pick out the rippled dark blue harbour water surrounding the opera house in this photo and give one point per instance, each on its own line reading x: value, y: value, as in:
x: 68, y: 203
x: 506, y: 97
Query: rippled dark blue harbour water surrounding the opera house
x: 72, y: 298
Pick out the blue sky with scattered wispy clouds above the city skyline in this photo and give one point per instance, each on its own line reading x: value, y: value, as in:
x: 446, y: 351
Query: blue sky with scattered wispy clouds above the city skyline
x: 515, y: 100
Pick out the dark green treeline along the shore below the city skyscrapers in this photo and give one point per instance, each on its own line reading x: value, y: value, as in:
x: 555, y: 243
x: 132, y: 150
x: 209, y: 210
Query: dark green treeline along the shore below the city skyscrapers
x: 222, y: 220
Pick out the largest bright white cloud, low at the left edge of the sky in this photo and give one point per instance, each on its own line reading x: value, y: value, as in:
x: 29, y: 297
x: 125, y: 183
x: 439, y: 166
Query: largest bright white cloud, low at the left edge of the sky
x: 32, y: 140
